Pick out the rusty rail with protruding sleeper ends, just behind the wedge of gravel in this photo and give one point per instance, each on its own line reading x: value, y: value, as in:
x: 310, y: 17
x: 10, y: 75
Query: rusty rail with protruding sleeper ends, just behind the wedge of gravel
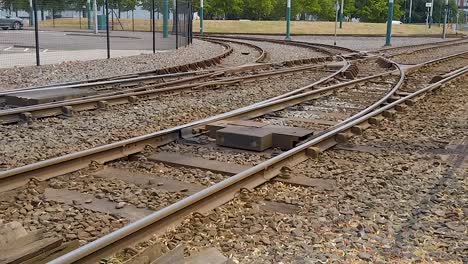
x: 147, y: 92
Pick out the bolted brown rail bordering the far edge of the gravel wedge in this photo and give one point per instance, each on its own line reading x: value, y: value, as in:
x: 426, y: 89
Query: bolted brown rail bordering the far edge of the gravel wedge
x: 131, y: 96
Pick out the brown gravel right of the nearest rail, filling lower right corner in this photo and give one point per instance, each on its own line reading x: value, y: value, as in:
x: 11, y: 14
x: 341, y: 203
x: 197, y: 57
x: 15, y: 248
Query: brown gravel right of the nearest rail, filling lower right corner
x: 402, y: 199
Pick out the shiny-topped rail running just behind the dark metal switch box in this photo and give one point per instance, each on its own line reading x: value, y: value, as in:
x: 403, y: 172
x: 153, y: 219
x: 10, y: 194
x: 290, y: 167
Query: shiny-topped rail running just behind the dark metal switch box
x: 46, y: 169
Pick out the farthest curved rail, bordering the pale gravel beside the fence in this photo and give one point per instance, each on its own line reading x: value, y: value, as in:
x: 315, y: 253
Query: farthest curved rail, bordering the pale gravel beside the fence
x: 135, y: 77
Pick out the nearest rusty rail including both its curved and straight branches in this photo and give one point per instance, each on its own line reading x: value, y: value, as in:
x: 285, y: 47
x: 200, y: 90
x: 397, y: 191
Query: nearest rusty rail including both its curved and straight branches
x: 226, y: 190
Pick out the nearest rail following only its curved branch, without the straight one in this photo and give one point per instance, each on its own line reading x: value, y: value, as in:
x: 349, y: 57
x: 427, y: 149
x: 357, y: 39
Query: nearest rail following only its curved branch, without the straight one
x: 208, y: 198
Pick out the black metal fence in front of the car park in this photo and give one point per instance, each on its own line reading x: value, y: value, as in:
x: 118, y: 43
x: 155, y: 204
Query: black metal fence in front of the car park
x: 55, y: 31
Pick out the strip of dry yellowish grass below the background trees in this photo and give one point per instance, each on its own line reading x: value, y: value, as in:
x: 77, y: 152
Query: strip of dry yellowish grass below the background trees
x: 256, y: 27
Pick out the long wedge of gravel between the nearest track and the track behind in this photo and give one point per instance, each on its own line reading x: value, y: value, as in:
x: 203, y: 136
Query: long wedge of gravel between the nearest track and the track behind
x: 53, y: 137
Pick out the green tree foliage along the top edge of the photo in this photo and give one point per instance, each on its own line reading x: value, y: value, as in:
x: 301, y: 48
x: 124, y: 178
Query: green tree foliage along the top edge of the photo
x: 366, y: 10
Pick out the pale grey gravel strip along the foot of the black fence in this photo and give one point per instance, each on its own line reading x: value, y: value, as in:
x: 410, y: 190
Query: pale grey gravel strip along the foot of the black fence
x: 87, y: 70
